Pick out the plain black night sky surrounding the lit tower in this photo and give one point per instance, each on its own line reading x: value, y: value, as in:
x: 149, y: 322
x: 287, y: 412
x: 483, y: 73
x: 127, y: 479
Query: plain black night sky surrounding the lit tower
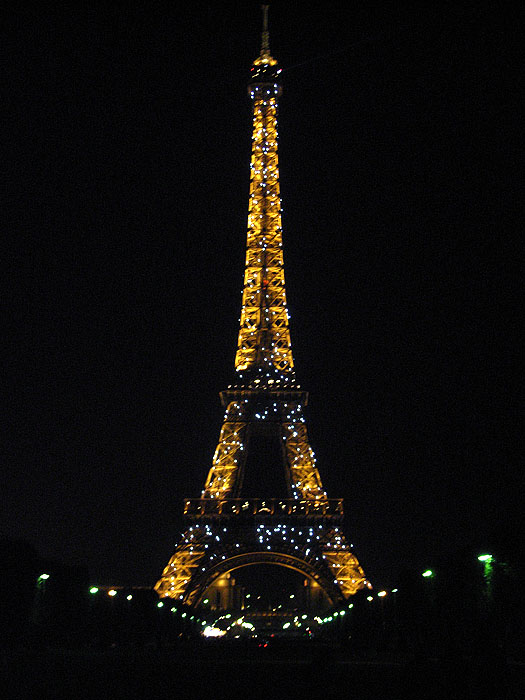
x: 126, y: 140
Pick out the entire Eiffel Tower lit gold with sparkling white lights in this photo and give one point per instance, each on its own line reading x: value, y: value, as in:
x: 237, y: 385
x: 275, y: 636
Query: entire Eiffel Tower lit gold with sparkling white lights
x: 238, y: 520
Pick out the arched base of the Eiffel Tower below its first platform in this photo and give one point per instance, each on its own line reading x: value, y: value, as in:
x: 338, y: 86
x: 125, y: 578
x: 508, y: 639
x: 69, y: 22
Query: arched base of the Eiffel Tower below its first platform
x: 210, y: 551
